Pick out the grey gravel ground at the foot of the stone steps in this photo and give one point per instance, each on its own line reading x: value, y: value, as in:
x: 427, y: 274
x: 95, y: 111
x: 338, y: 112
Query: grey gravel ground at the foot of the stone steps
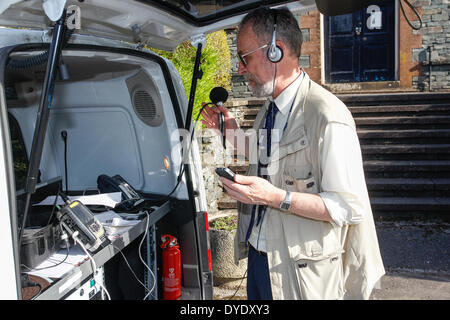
x: 416, y: 259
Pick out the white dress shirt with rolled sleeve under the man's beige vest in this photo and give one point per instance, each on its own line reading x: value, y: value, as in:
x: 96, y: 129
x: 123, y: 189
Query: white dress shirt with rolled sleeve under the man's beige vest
x: 343, y: 183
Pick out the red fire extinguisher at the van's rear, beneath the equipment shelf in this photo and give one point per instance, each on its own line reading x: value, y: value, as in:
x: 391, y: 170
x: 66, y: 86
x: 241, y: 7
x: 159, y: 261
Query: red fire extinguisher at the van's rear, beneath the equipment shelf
x: 171, y: 265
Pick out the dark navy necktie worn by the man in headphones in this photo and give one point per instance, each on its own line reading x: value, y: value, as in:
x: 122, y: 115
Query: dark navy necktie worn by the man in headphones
x: 269, y: 123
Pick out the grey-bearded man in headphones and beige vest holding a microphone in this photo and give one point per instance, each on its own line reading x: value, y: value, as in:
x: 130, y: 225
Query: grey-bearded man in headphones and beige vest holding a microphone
x: 305, y: 220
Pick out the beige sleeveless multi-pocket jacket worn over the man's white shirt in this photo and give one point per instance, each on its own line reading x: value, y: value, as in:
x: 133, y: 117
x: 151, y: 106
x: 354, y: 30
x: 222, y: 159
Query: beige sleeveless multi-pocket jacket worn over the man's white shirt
x: 310, y: 259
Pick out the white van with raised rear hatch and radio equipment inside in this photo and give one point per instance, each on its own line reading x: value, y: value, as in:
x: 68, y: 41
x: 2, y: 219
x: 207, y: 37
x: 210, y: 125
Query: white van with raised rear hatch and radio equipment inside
x: 88, y: 111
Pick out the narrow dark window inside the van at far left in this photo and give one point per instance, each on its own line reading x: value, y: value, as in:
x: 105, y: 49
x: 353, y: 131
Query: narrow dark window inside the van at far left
x: 19, y: 152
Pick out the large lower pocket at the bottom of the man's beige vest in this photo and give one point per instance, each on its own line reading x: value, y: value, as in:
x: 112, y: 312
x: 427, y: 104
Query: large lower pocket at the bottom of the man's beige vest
x: 320, y: 279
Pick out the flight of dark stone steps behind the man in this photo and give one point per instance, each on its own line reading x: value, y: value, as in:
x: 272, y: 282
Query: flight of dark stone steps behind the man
x: 409, y: 127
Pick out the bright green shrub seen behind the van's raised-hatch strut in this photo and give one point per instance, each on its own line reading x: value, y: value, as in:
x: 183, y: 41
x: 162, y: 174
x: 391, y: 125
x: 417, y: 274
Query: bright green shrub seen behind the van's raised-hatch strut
x: 215, y: 64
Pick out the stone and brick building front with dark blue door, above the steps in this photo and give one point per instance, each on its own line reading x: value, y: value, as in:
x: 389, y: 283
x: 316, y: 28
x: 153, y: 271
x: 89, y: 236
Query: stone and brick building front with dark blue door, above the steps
x: 372, y: 50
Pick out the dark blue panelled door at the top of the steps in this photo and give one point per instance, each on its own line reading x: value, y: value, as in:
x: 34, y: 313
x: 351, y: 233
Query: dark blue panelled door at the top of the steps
x: 360, y: 45
